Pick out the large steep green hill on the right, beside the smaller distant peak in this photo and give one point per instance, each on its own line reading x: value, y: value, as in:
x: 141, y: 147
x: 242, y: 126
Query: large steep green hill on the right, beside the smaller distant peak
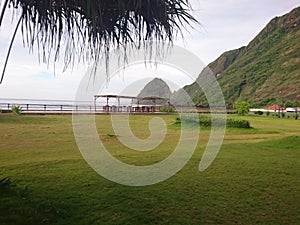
x: 264, y: 72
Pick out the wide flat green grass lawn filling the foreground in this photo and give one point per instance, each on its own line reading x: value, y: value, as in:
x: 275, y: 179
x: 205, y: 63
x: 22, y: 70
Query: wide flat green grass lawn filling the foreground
x: 253, y: 180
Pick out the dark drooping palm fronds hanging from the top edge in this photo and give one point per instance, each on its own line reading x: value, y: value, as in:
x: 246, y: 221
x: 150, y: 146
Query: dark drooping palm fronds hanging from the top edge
x: 91, y: 28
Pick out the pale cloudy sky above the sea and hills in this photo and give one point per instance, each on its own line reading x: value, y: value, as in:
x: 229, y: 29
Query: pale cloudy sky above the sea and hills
x: 223, y: 25
